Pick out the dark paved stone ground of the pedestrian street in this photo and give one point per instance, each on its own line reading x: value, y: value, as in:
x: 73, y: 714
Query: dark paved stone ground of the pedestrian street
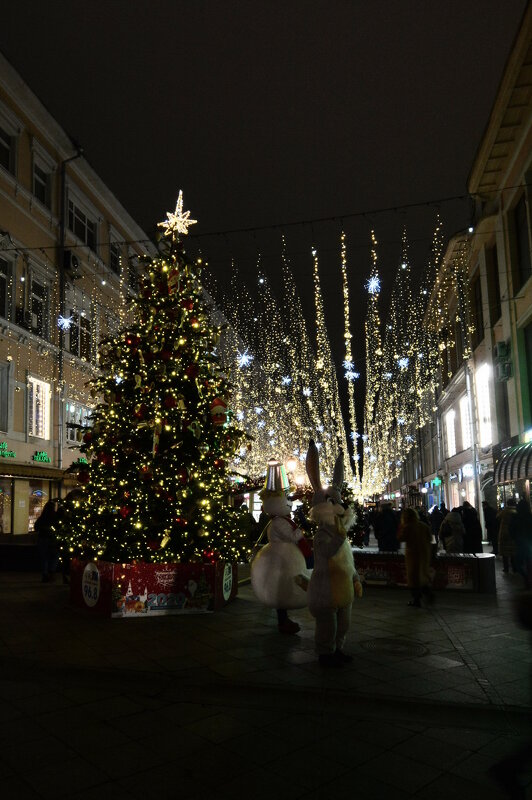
x: 218, y: 706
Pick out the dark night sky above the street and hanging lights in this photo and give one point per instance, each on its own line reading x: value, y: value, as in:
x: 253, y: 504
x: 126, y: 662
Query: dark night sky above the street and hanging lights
x: 267, y: 113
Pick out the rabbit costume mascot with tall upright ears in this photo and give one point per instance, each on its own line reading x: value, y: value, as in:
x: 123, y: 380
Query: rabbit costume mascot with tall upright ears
x: 334, y: 580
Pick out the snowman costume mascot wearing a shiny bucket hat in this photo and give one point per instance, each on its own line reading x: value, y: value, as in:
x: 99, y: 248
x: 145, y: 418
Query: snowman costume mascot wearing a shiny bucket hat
x: 277, y: 564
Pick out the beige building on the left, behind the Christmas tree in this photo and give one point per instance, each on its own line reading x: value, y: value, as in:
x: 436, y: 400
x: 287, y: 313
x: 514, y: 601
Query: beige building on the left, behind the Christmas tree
x: 68, y: 263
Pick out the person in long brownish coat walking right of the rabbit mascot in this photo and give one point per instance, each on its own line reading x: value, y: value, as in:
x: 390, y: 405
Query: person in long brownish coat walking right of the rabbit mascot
x: 417, y: 537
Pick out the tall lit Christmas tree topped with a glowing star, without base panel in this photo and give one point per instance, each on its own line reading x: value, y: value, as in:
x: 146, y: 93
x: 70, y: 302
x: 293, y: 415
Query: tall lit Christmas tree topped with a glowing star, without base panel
x: 156, y: 483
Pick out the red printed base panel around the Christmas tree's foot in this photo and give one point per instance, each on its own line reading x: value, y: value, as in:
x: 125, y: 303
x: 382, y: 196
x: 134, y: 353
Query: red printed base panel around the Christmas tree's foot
x: 150, y: 590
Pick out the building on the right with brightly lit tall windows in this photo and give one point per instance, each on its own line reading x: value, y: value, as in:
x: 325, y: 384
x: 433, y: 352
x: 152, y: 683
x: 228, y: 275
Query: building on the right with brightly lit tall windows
x: 478, y: 444
